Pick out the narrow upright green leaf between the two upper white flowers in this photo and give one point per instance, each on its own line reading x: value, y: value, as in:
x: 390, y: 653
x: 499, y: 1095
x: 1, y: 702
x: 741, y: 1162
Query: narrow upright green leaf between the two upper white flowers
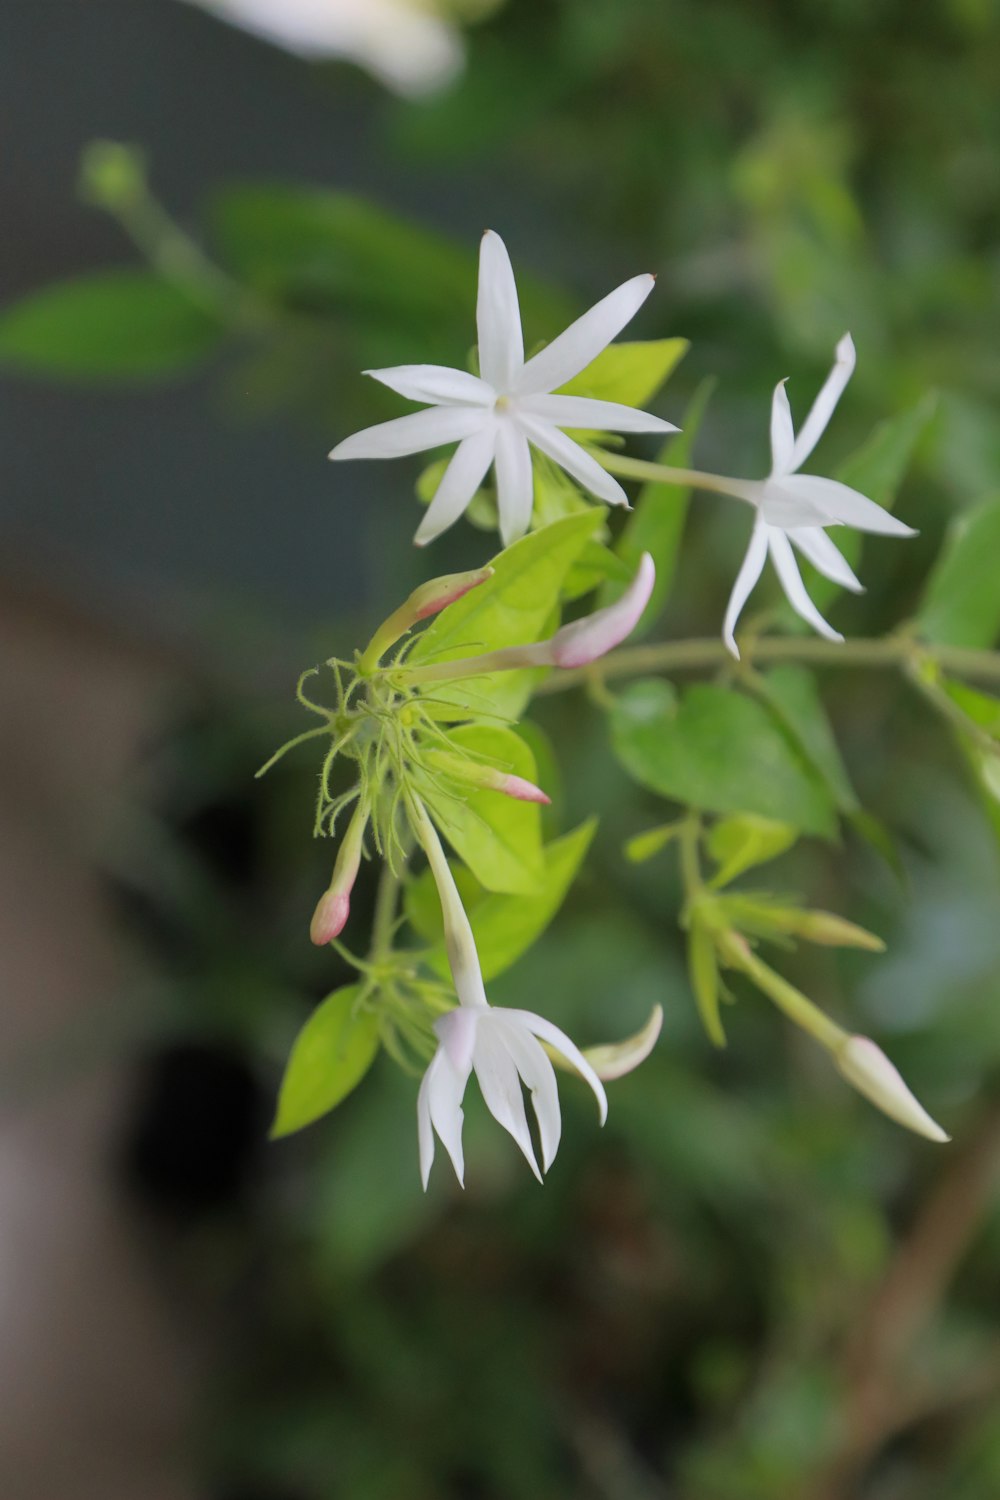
x: 657, y: 523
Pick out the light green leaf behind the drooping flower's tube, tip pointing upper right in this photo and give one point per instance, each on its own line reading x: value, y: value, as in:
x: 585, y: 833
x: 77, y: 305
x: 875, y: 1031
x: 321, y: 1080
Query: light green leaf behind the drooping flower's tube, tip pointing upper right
x: 504, y: 926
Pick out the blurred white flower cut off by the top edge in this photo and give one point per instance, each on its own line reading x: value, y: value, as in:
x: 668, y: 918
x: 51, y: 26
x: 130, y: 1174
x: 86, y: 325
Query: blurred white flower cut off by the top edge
x: 406, y: 44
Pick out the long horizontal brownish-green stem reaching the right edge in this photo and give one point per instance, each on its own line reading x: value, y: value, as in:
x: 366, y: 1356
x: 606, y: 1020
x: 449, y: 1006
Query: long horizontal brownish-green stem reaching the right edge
x: 704, y: 655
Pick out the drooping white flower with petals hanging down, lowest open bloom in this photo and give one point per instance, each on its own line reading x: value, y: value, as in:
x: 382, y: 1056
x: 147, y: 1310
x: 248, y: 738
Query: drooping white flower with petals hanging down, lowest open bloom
x: 504, y: 1051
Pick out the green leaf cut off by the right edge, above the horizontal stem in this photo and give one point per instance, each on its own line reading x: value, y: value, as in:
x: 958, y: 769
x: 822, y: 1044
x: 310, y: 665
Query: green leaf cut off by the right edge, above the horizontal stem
x: 962, y: 605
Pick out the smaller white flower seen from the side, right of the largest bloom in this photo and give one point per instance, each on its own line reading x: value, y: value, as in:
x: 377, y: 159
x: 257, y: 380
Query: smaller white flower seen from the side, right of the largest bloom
x: 794, y: 509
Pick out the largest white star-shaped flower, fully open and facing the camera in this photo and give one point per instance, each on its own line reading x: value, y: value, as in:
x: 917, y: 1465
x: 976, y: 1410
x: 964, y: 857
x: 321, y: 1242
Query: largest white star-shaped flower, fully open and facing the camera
x: 510, y: 407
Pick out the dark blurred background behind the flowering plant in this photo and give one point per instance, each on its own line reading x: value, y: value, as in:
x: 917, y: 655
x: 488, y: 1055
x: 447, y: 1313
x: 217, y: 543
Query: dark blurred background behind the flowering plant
x: 750, y: 1285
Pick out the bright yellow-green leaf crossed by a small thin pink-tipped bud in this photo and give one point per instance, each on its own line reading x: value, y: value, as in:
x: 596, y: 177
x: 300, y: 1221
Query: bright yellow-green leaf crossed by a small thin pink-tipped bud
x: 497, y: 836
